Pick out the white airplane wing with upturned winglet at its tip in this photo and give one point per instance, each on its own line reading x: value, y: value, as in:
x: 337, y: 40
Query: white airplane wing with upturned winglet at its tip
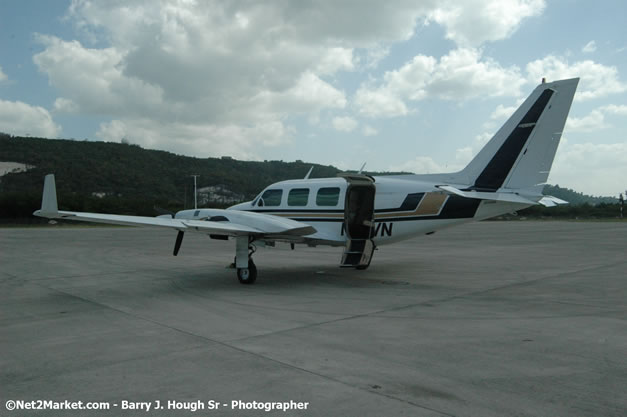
x: 238, y: 224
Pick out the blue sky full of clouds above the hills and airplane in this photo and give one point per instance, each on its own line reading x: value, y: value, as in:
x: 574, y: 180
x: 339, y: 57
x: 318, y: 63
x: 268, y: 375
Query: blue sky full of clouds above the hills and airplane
x: 402, y: 85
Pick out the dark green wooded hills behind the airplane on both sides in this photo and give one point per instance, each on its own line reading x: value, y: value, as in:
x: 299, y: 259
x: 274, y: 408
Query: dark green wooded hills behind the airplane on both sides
x: 126, y: 179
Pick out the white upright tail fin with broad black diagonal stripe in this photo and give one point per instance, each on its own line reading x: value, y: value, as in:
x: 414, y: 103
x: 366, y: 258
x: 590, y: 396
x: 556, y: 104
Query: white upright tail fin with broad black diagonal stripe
x: 521, y: 153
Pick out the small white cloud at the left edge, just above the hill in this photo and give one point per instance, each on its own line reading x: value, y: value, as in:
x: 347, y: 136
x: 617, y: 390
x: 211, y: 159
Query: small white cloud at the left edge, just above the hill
x: 22, y: 119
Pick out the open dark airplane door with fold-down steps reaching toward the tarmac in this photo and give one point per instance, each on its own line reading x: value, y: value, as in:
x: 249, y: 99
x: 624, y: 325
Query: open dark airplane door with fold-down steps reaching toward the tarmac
x: 358, y: 221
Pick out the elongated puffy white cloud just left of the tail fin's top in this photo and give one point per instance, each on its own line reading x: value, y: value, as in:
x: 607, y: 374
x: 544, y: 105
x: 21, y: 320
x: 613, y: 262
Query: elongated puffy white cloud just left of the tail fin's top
x: 459, y: 75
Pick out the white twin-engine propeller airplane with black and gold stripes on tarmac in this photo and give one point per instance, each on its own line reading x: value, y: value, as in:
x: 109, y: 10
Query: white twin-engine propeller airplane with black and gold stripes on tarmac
x: 362, y: 212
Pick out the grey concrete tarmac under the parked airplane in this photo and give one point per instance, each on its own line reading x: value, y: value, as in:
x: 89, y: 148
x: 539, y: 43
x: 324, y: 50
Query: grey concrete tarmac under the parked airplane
x: 514, y: 318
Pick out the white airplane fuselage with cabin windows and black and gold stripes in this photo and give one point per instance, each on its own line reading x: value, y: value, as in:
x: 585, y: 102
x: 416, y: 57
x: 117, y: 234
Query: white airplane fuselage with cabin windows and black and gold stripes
x: 404, y: 207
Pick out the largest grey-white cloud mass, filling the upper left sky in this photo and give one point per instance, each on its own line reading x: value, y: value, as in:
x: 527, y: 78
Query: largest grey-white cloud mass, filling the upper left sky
x: 222, y: 65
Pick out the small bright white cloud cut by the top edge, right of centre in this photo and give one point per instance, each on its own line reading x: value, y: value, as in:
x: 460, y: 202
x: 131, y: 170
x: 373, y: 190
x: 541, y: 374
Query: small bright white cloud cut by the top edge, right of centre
x: 472, y: 22
